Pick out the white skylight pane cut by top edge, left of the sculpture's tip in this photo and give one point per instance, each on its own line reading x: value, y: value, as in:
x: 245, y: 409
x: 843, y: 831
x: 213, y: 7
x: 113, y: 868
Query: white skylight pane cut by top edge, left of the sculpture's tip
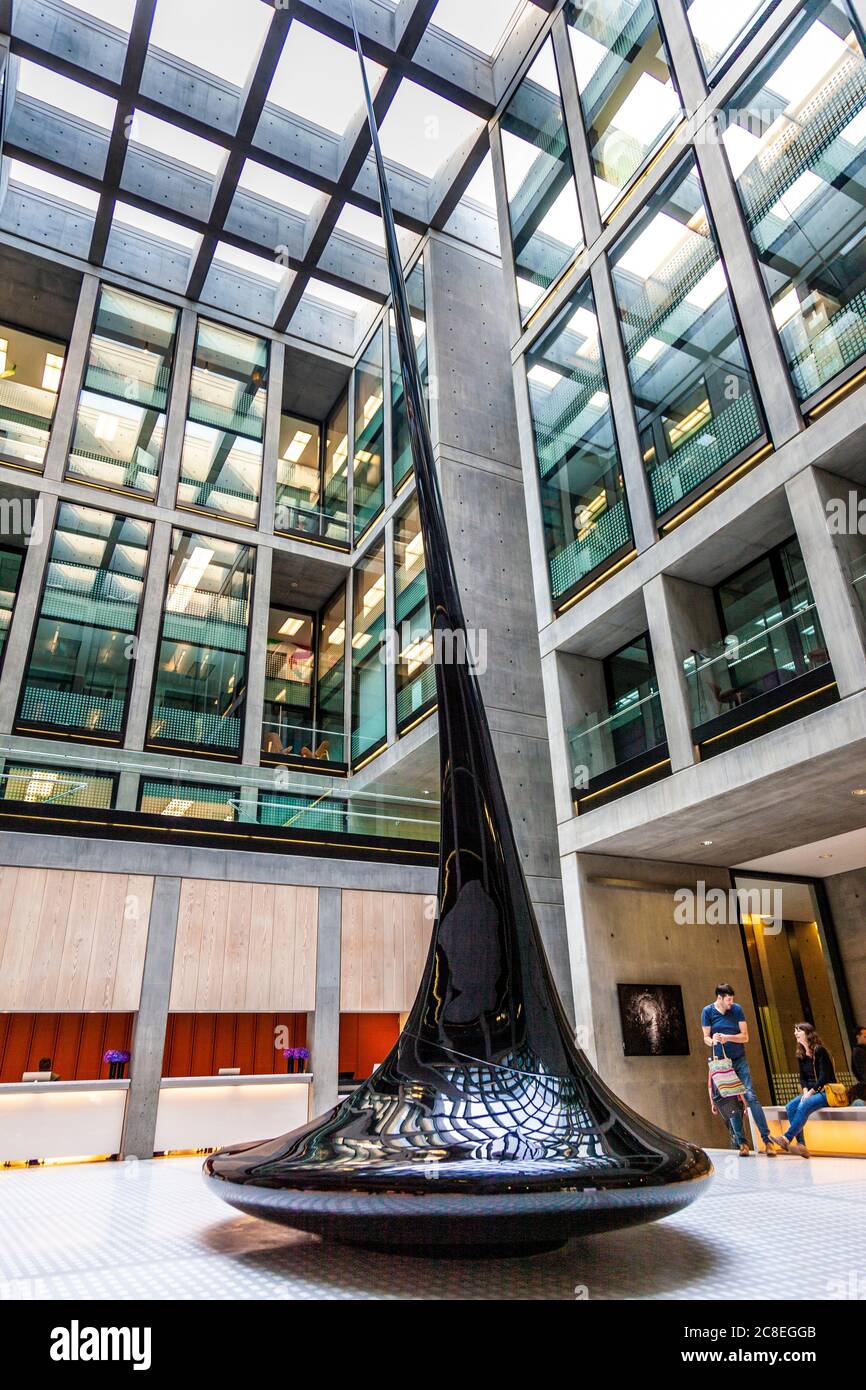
x: 223, y: 37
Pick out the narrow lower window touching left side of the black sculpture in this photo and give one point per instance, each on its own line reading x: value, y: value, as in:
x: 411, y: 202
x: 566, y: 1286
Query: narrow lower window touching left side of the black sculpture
x: 416, y: 675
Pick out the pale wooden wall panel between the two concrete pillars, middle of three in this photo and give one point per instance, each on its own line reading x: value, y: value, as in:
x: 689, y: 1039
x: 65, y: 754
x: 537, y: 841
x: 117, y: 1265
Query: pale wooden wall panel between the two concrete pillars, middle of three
x: 245, y: 949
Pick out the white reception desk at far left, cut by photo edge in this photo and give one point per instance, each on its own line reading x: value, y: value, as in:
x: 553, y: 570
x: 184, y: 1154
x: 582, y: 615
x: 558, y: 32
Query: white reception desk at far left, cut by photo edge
x: 60, y: 1121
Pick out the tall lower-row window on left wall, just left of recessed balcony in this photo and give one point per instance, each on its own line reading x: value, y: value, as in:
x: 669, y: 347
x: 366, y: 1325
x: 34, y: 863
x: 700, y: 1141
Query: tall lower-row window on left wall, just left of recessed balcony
x: 201, y: 682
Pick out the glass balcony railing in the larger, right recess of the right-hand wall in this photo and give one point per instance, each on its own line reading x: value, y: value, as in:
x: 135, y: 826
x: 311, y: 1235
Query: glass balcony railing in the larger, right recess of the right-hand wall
x: 755, y: 671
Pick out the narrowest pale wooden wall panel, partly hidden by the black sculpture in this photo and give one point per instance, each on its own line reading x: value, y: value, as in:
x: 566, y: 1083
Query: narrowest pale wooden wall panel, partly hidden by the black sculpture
x: 386, y: 938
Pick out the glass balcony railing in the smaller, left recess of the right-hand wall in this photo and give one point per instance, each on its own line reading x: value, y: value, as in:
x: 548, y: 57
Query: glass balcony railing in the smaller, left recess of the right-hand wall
x: 618, y: 744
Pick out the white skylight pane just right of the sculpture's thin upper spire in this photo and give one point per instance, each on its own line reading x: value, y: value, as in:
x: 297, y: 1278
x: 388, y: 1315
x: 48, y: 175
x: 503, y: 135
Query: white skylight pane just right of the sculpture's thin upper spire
x: 422, y: 130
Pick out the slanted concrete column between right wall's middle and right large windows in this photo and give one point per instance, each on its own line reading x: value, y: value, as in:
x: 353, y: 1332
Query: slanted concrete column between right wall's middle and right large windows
x: 783, y: 415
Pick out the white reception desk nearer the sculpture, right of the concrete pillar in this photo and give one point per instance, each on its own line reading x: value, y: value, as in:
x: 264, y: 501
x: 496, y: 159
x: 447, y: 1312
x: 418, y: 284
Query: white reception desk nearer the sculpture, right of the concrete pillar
x: 198, y: 1113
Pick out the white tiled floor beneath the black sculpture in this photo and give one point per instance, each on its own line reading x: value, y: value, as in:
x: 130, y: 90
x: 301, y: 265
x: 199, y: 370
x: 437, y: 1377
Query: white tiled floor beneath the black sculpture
x: 769, y: 1229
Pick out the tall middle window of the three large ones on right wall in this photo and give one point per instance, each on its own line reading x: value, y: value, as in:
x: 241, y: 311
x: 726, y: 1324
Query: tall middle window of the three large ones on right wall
x: 693, y: 391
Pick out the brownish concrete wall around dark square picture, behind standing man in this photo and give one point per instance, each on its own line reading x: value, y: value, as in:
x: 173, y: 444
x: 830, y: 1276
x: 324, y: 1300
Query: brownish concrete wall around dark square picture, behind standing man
x: 622, y: 925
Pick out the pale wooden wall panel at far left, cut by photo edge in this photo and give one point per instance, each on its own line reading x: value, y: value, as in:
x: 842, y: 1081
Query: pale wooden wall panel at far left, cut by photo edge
x: 73, y: 942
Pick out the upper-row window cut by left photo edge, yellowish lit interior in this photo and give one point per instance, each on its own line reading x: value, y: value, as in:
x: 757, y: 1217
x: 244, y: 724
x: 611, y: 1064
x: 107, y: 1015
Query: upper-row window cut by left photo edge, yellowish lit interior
x: 30, y: 379
